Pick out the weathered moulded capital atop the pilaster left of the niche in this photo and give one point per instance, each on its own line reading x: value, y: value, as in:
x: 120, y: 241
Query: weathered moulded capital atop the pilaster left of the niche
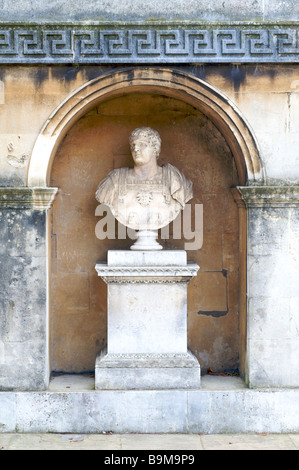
x: 27, y: 198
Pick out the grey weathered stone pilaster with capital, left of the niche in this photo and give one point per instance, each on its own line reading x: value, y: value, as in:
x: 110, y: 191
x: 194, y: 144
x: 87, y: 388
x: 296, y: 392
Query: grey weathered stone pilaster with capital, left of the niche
x: 24, y: 357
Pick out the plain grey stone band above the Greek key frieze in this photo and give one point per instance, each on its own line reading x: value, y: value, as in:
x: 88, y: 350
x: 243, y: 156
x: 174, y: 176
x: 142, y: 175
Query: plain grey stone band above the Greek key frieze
x: 180, y: 10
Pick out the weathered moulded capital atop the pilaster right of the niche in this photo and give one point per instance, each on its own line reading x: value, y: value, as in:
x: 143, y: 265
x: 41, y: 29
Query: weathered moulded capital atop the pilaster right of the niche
x: 270, y: 196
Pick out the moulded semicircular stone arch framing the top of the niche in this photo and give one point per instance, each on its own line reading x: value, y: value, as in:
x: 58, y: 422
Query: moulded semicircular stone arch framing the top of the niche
x: 217, y: 107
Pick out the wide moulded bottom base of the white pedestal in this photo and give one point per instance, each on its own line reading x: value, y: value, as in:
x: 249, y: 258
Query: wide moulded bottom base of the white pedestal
x: 146, y: 371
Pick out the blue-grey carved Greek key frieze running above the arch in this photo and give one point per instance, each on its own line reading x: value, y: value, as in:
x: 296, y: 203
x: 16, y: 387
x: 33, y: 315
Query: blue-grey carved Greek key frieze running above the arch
x: 98, y: 43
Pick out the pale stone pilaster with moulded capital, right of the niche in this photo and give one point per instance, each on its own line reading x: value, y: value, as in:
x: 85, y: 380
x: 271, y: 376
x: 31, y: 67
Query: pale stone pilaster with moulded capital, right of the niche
x: 272, y: 285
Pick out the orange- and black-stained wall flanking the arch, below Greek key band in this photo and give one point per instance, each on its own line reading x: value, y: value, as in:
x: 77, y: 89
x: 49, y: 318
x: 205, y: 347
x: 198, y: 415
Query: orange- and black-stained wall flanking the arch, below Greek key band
x: 267, y: 95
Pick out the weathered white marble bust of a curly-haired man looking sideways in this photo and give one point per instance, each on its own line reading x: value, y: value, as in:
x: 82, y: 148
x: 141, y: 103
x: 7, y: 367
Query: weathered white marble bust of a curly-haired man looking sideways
x: 148, y: 196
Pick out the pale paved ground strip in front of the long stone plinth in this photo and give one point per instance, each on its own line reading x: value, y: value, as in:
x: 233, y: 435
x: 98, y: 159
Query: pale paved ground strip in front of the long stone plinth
x: 165, y: 442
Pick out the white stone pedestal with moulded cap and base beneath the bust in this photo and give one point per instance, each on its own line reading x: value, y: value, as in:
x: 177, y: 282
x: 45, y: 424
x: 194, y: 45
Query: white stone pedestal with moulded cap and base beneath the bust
x: 147, y: 322
